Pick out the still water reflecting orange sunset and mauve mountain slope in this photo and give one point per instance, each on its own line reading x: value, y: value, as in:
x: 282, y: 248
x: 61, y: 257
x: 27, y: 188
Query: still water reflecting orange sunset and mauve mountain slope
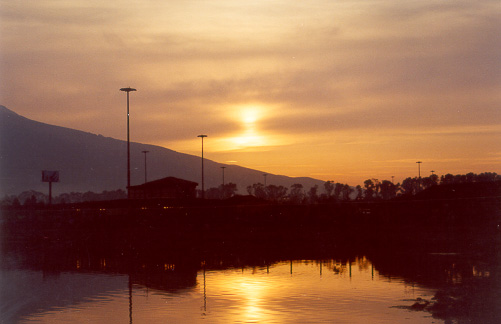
x: 297, y: 291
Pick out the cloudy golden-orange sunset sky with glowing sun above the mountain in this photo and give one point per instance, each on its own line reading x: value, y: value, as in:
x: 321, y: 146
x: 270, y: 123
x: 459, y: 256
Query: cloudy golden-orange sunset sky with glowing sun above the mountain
x: 342, y: 90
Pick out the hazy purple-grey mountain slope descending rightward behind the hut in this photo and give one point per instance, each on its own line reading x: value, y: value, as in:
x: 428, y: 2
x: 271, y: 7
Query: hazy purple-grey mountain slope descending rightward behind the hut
x: 90, y: 162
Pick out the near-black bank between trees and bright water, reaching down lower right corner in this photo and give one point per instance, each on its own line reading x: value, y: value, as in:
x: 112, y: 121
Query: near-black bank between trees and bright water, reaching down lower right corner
x: 452, y: 246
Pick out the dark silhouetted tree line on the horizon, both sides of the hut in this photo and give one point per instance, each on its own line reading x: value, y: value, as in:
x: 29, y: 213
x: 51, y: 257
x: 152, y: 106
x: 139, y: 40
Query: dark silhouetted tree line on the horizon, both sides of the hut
x: 372, y: 189
